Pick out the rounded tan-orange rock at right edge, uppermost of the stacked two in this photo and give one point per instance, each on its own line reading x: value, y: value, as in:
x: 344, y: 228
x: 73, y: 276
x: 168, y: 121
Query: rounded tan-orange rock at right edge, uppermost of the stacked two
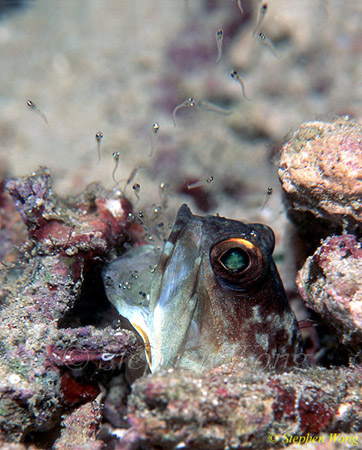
x: 321, y: 173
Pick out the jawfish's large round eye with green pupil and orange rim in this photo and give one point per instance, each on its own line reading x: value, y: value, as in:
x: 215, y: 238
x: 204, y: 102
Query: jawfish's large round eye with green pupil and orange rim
x: 238, y: 264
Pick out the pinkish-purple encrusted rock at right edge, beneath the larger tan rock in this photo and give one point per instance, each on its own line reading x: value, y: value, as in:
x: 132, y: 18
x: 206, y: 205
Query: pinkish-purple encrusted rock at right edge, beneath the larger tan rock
x: 330, y: 283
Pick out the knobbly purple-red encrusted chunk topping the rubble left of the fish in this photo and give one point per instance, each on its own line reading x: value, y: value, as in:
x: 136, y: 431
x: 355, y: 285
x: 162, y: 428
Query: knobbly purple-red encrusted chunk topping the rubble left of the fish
x: 89, y: 223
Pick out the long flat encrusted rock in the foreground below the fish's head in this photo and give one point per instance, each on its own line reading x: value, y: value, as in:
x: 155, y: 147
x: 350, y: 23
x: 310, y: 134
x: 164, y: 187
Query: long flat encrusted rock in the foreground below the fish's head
x: 239, y: 407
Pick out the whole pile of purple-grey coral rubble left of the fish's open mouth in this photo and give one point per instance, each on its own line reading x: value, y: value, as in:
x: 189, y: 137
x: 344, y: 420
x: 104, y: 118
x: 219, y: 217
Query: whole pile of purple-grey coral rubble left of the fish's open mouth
x: 40, y: 290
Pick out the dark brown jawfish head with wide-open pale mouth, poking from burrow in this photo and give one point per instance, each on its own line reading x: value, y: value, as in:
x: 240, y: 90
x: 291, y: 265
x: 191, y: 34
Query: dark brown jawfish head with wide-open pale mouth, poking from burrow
x: 213, y: 295
